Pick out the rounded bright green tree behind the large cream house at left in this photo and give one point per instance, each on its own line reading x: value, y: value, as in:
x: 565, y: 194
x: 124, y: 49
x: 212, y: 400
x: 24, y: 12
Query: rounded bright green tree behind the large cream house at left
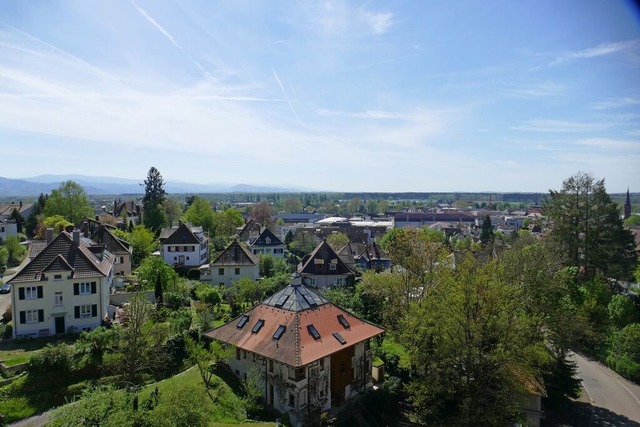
x: 70, y: 201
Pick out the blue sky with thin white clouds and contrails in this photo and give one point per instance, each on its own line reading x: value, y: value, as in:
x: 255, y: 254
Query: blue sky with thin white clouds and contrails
x: 332, y: 95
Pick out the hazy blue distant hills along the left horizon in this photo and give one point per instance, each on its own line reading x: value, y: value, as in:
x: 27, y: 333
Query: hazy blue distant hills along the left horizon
x: 99, y: 185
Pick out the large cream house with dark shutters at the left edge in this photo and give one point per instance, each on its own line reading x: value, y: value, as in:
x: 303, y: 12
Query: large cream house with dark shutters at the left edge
x: 64, y: 287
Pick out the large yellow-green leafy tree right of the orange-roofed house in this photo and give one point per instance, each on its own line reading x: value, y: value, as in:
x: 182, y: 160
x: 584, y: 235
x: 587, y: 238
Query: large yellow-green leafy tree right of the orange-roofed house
x: 473, y: 349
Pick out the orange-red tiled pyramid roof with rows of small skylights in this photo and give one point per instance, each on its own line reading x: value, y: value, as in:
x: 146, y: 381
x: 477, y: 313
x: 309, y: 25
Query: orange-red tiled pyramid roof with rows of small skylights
x: 296, y: 346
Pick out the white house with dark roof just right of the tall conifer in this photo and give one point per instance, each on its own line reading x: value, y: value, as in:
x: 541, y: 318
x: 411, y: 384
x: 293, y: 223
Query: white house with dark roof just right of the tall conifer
x: 184, y: 246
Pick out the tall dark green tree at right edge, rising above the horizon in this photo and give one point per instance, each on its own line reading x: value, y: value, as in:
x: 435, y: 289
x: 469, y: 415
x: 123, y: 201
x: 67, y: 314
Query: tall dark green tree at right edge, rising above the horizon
x: 586, y: 222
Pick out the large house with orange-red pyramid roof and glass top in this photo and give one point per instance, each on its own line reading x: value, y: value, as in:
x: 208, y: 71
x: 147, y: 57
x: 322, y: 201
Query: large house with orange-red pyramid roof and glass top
x: 311, y: 355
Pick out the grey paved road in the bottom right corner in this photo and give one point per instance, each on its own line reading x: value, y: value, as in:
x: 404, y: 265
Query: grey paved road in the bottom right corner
x: 615, y: 401
